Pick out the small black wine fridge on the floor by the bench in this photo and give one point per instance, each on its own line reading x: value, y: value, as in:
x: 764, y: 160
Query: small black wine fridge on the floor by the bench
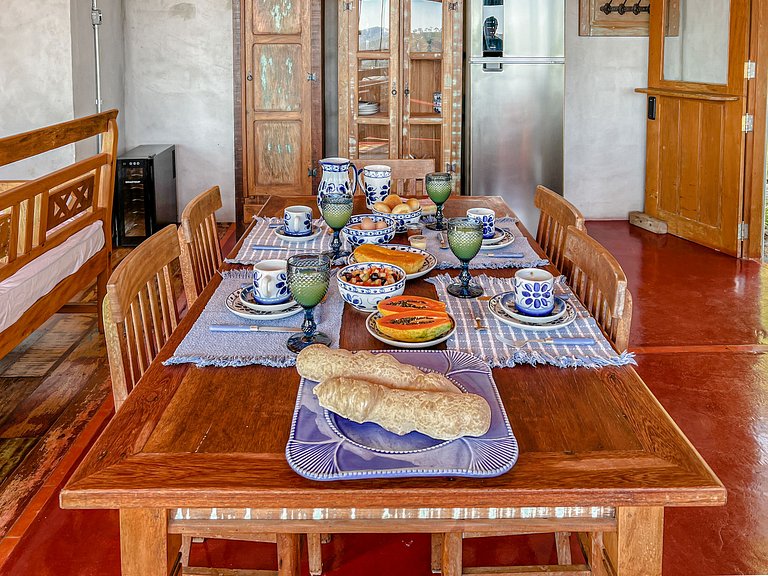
x: 145, y: 193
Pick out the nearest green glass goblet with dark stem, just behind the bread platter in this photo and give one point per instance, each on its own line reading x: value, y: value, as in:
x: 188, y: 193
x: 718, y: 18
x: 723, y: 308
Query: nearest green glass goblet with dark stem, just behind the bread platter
x: 308, y: 278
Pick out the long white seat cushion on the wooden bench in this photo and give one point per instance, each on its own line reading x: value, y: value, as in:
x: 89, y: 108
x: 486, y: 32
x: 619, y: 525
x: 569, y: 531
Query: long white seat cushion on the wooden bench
x: 33, y: 281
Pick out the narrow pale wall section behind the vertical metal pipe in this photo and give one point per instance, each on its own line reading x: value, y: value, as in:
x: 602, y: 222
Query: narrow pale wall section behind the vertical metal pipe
x: 112, y: 54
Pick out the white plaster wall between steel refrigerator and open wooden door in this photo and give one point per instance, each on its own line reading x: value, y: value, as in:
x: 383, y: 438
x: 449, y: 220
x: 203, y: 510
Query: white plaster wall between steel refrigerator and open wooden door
x: 604, y: 121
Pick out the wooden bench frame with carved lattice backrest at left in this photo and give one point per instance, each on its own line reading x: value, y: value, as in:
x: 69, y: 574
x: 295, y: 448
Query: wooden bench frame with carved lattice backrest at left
x: 39, y: 216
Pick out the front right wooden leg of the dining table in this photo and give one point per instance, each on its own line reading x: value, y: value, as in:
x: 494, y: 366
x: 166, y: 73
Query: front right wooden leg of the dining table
x: 635, y: 549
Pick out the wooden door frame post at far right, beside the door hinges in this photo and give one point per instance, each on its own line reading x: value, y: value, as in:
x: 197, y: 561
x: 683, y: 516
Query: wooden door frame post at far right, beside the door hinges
x: 755, y: 153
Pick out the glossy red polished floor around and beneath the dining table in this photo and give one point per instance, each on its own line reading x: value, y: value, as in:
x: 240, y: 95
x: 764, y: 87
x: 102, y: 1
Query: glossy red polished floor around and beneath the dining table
x: 685, y: 297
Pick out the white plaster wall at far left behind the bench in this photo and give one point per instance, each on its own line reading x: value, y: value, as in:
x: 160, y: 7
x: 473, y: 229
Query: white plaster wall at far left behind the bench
x: 35, y: 77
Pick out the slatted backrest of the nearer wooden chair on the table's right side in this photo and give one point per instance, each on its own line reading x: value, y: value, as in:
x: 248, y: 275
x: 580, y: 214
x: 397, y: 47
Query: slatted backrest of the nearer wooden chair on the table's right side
x: 599, y: 282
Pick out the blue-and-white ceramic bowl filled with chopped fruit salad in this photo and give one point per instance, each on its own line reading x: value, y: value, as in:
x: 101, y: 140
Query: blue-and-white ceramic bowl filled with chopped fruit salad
x: 366, y: 284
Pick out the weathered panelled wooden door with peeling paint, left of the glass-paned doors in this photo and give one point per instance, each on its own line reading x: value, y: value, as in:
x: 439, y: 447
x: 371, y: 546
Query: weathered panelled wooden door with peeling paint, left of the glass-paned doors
x: 278, y: 97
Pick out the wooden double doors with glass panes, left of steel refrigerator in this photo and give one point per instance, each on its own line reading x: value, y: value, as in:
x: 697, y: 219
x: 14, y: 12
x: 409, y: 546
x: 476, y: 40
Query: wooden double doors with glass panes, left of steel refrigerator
x: 400, y: 80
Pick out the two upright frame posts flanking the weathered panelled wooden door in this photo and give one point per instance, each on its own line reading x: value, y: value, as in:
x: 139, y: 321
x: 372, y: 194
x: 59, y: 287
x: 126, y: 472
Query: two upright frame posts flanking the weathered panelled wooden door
x: 239, y: 113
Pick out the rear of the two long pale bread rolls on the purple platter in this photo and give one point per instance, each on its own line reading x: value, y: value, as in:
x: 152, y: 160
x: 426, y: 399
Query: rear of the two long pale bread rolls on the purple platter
x: 318, y: 362
